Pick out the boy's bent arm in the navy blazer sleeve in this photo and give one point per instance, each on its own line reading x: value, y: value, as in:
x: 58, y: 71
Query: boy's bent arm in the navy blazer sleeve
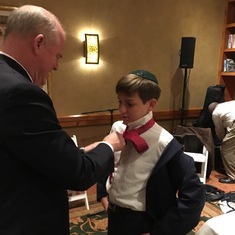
x: 191, y: 192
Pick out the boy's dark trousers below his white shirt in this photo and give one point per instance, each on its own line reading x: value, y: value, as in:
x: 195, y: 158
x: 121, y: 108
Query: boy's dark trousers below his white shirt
x: 136, y: 223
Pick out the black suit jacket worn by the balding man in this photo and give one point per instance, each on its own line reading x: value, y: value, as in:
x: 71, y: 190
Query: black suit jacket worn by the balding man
x: 38, y: 160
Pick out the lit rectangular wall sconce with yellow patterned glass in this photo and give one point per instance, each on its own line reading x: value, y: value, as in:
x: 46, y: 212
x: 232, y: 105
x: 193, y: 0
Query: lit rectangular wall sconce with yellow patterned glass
x: 92, y: 48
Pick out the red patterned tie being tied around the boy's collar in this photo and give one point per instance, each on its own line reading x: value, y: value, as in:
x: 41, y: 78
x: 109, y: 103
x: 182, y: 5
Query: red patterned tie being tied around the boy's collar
x: 134, y: 136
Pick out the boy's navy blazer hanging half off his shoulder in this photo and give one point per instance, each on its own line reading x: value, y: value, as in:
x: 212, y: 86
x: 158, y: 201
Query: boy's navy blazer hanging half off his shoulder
x: 174, y: 174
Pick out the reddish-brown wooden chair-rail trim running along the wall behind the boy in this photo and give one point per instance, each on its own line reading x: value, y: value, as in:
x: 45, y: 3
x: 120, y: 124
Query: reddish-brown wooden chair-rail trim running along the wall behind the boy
x: 105, y: 118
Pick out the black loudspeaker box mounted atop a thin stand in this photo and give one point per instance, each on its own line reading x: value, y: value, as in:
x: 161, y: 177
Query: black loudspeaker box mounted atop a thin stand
x: 187, y: 52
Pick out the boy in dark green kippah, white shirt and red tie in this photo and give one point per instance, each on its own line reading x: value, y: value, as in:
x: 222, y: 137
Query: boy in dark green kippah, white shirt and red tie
x: 155, y: 188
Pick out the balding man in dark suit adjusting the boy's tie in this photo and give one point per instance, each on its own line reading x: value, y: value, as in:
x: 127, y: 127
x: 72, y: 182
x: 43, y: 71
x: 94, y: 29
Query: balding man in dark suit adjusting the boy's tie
x: 38, y: 160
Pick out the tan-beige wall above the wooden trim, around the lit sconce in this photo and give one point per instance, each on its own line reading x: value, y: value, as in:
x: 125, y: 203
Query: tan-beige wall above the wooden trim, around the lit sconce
x: 134, y: 35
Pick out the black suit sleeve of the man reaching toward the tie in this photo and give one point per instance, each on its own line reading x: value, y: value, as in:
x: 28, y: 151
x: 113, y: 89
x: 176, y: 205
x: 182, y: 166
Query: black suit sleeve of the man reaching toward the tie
x: 32, y: 133
